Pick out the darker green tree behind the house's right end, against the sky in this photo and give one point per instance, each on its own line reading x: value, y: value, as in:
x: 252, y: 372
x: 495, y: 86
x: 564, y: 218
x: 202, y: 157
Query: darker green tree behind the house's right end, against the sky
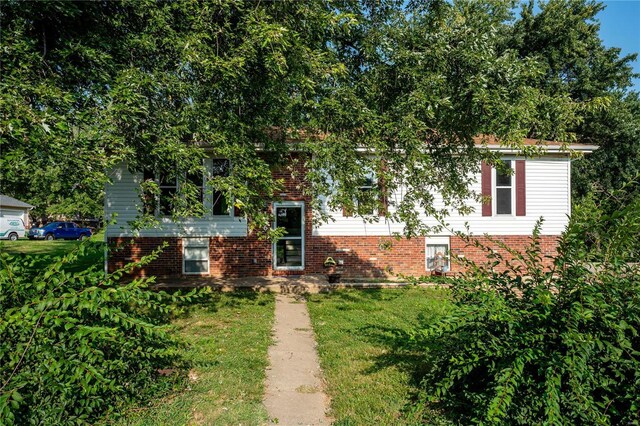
x: 563, y: 35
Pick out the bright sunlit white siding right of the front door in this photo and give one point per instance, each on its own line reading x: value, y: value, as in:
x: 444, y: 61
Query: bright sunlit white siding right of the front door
x: 548, y: 196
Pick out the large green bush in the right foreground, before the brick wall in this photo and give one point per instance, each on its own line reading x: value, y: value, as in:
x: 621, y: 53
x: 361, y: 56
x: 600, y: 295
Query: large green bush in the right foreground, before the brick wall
x: 535, y: 345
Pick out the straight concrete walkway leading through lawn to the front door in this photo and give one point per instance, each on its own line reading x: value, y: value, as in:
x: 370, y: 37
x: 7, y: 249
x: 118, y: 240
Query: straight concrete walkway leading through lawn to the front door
x: 294, y: 389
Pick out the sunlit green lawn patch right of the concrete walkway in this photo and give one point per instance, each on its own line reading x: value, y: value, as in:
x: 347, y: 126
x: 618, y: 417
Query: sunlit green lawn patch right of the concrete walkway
x: 372, y: 372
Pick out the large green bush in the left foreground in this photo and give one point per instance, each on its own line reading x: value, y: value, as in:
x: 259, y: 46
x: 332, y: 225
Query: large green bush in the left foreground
x: 76, y: 343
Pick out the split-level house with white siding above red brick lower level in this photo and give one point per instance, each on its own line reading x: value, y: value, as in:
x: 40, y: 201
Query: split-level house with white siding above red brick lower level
x: 219, y: 244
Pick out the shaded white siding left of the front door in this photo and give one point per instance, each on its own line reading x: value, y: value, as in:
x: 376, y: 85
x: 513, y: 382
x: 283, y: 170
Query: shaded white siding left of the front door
x: 122, y: 202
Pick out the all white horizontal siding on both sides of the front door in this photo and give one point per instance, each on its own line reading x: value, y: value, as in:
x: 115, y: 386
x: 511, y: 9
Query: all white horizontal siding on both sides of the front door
x: 547, y: 189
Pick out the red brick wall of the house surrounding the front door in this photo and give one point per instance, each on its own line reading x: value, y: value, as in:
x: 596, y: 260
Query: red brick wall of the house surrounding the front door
x: 362, y: 256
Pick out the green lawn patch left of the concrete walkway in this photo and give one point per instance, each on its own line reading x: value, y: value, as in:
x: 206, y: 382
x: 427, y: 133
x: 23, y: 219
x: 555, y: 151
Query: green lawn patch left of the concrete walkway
x: 228, y: 342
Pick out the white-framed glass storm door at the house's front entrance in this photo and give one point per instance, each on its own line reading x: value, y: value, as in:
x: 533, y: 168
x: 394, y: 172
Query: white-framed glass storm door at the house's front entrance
x: 288, y: 251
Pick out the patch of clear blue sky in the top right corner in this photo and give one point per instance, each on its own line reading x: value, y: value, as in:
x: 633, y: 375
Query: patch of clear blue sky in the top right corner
x: 620, y: 27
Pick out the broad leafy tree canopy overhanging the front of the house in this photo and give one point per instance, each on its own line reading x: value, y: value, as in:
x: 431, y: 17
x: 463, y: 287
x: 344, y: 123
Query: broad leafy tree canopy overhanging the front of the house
x: 87, y: 85
